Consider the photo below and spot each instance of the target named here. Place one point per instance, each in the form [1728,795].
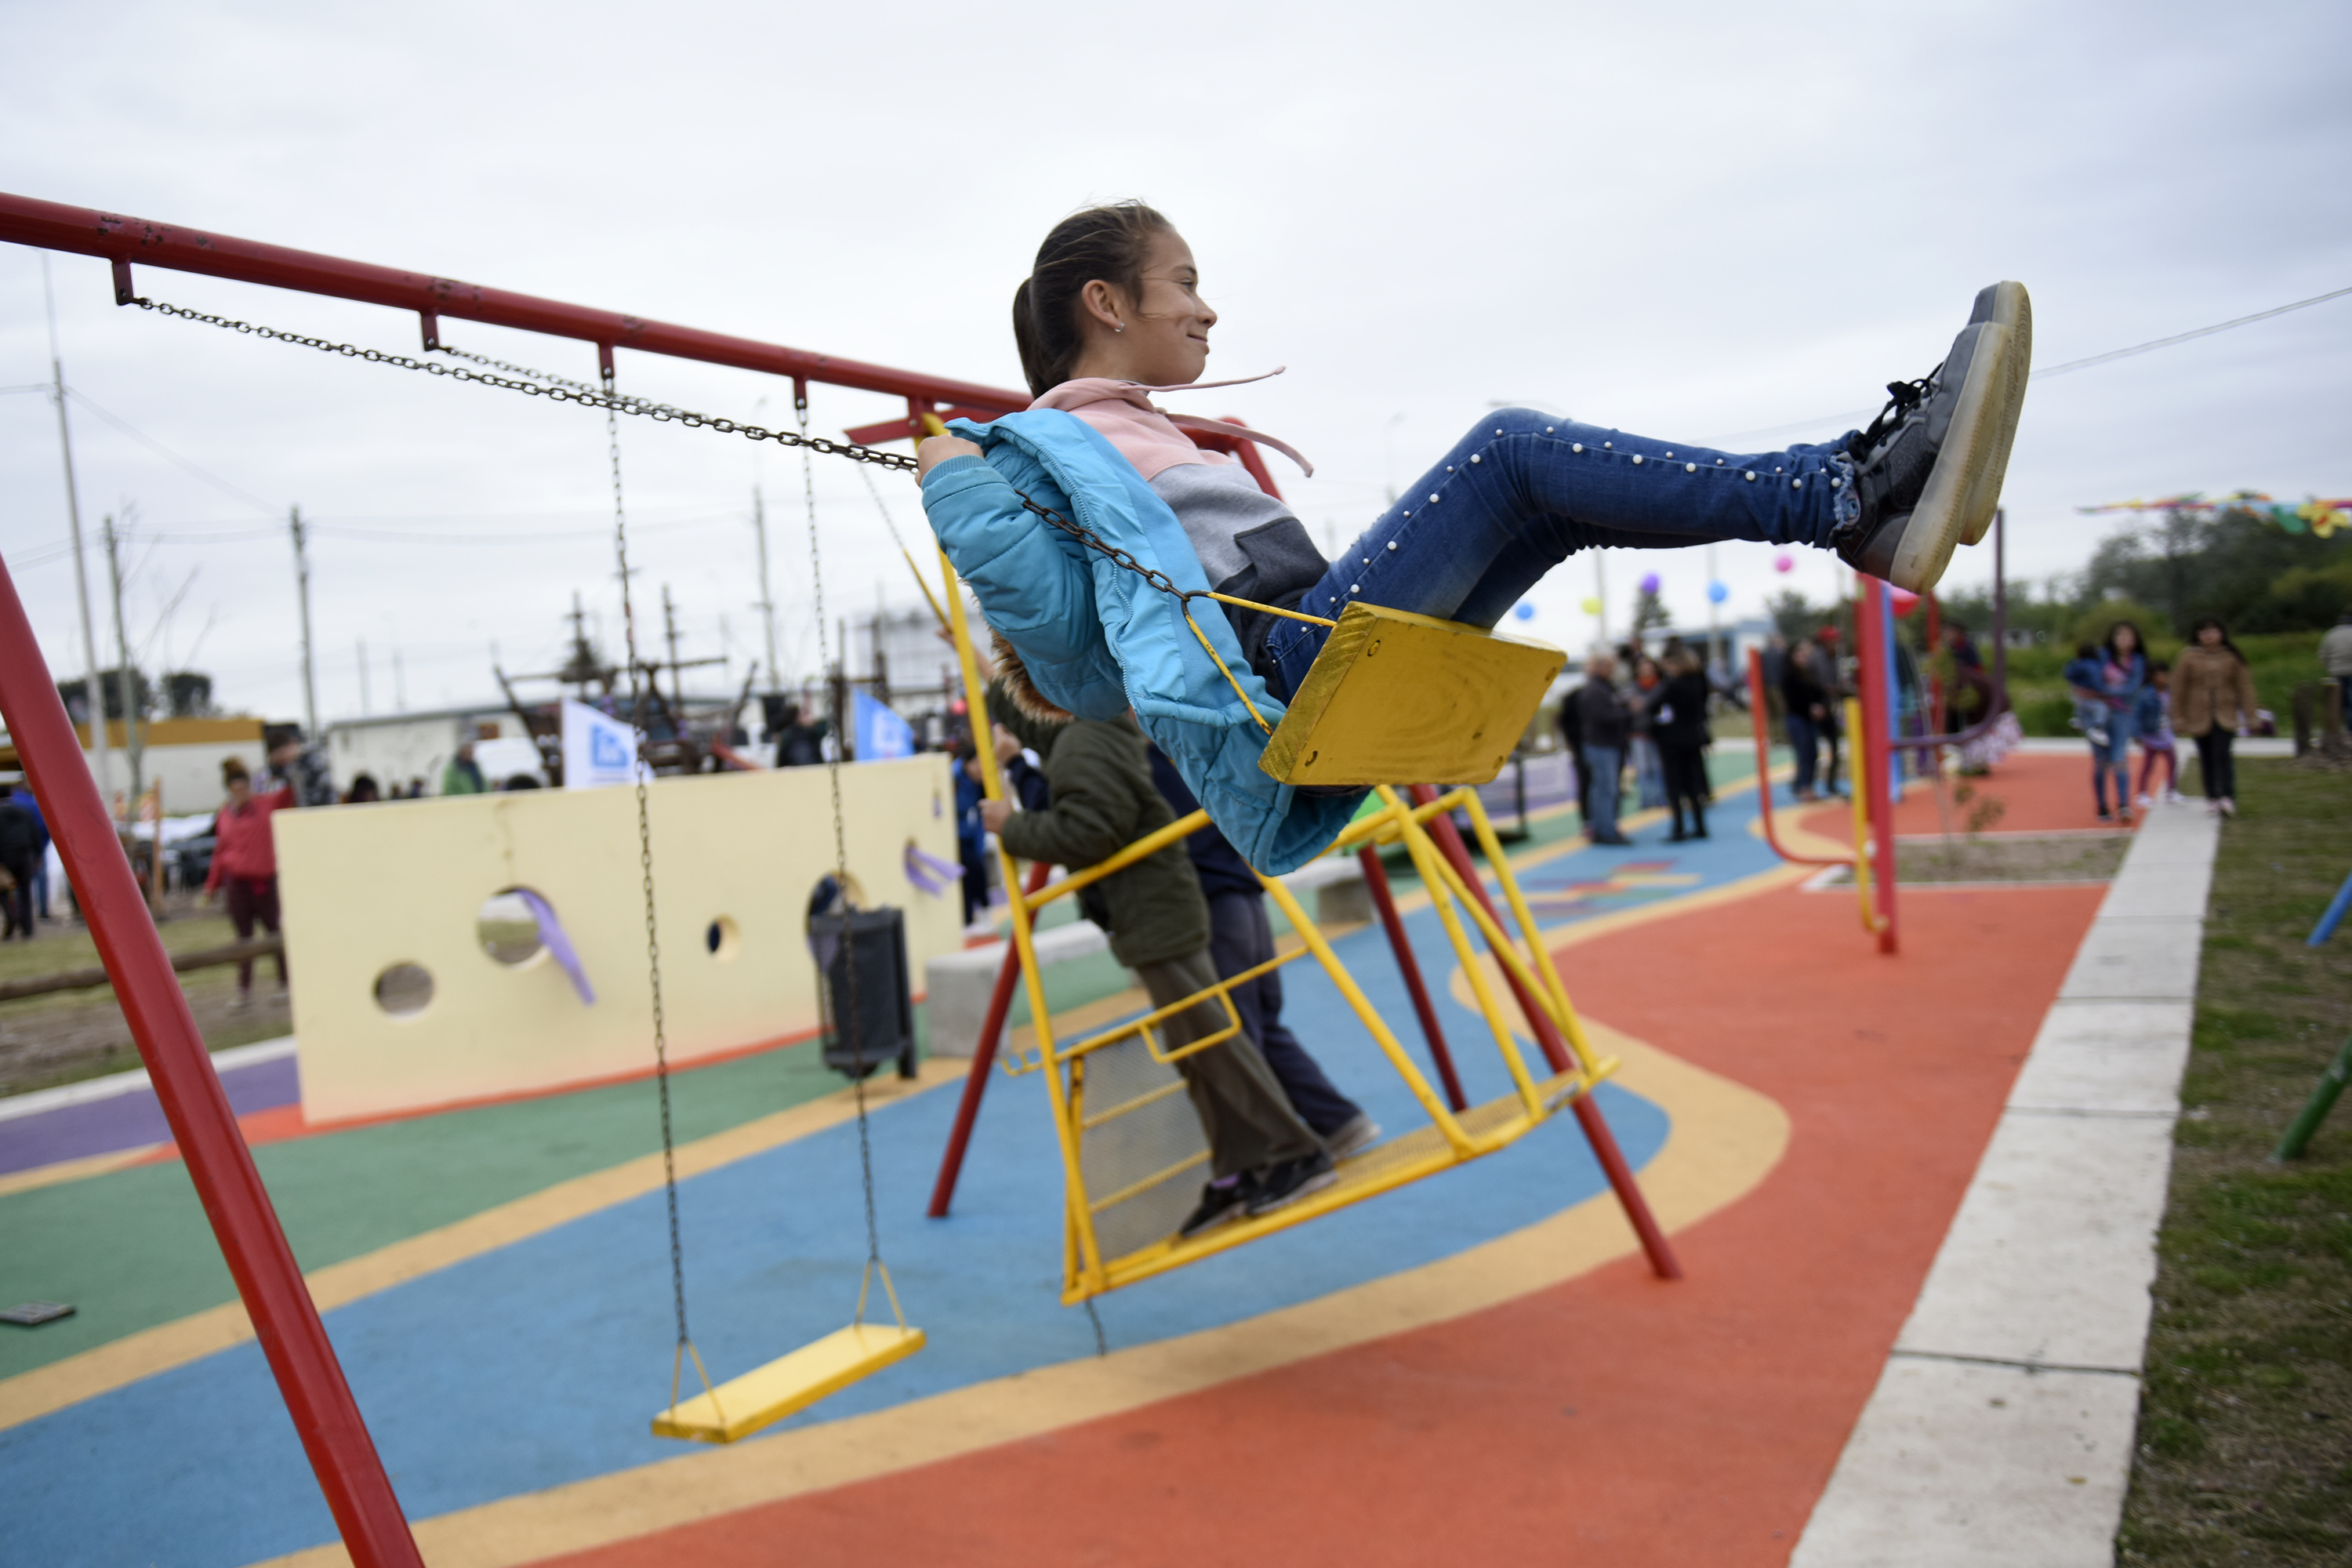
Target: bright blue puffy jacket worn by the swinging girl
[1102,641]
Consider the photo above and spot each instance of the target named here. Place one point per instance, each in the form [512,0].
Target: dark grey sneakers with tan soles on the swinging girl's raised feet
[1937,455]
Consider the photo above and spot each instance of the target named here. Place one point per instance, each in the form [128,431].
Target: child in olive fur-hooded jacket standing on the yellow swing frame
[1262,1153]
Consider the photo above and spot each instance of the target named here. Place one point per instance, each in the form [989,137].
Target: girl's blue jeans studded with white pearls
[1523,492]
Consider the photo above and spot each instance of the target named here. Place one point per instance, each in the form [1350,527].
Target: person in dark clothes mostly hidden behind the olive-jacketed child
[1241,939]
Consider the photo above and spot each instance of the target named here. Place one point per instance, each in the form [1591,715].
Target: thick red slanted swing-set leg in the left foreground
[203,1127]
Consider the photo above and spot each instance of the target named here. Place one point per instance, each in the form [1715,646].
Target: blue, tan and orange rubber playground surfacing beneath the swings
[1478,1360]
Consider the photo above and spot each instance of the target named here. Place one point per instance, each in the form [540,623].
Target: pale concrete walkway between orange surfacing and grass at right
[2003,1426]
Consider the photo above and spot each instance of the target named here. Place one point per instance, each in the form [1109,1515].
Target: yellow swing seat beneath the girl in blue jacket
[1408,699]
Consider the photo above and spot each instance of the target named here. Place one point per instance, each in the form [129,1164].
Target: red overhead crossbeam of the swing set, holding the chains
[187,250]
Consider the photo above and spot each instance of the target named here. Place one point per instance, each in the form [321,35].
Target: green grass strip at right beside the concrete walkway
[2245,1447]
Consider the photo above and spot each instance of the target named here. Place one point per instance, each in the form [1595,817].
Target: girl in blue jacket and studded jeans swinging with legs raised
[1111,316]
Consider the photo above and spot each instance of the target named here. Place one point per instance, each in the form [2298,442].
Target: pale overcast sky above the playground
[1690,222]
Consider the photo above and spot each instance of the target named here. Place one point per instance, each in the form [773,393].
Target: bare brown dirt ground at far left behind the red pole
[79,1036]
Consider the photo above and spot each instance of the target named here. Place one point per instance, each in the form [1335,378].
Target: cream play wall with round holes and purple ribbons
[403,883]
